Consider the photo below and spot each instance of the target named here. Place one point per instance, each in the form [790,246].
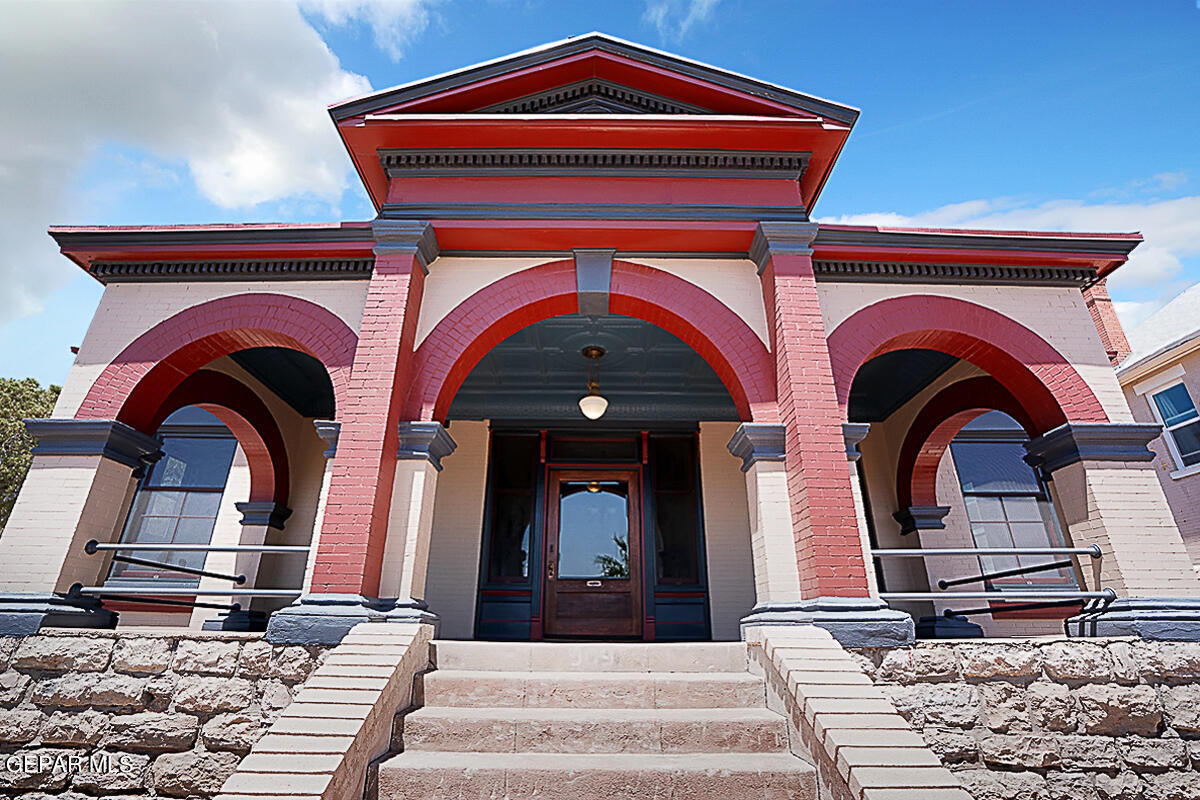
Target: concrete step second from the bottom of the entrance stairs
[596,731]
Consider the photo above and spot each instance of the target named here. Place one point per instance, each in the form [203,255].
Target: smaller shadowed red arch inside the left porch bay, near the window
[250,422]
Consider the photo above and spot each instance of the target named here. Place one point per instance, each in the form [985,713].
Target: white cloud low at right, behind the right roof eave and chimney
[1172,230]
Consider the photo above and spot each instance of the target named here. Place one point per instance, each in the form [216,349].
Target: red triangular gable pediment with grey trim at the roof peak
[593,75]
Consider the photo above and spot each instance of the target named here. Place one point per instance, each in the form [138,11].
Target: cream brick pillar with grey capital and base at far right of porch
[1107,495]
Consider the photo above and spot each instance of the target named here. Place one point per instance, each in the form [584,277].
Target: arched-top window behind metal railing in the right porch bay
[1007,504]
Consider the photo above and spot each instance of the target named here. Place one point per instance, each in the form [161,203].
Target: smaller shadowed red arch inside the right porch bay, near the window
[935,428]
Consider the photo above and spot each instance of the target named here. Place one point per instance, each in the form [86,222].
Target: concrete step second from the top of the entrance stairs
[587,690]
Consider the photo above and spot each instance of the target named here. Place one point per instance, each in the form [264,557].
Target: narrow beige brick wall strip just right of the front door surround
[731,585]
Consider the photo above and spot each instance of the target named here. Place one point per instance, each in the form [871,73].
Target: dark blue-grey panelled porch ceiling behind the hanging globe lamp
[647,375]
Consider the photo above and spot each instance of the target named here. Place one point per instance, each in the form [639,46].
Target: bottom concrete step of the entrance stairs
[431,775]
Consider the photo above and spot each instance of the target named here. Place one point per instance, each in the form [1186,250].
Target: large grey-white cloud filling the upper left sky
[235,93]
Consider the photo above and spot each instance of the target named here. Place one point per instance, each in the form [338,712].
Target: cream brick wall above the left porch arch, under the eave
[127,311]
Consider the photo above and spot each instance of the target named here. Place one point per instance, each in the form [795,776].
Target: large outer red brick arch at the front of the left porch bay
[134,387]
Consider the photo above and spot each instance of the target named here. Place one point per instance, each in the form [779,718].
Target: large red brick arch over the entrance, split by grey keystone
[494,314]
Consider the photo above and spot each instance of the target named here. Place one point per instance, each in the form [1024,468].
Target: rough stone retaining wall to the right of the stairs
[1054,719]
